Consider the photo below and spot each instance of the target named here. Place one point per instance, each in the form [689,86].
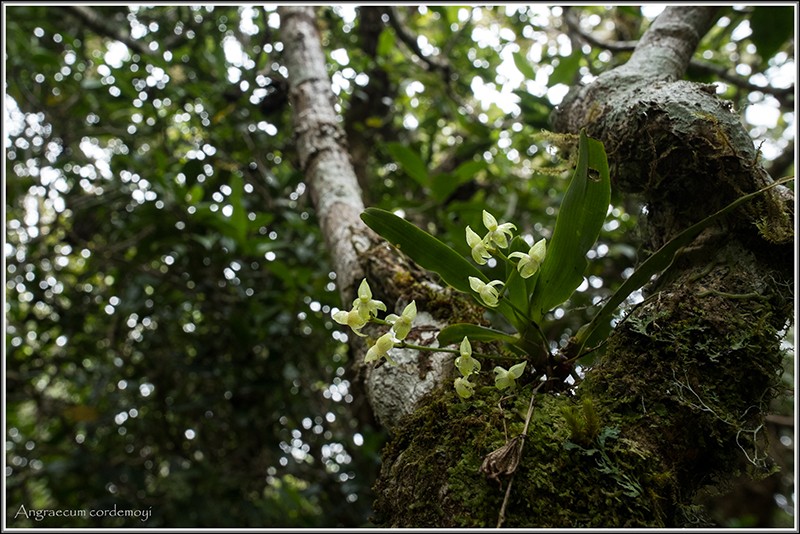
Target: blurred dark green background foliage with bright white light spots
[168,339]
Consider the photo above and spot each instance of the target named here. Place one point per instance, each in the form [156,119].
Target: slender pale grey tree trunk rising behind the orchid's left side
[355,251]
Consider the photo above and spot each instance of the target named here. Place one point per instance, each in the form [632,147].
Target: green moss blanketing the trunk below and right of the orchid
[685,380]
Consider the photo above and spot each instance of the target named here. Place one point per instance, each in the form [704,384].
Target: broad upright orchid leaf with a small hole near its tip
[580,219]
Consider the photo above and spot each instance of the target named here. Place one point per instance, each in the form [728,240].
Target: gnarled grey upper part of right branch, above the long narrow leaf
[662,133]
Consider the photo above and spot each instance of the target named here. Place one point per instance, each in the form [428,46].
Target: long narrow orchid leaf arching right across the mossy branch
[658,262]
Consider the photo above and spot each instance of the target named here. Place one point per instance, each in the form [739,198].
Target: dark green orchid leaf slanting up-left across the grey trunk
[427,251]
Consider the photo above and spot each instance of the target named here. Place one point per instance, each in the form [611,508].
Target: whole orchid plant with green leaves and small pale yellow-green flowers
[539,276]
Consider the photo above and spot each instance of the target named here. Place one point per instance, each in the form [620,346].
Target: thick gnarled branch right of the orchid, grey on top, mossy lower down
[684,150]
